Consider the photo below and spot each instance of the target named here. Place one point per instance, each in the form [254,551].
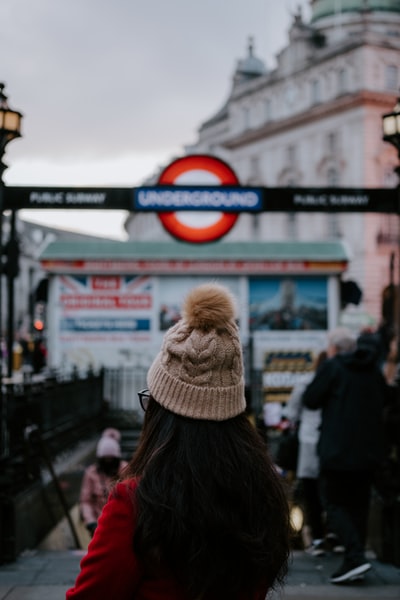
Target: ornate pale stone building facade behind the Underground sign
[315,121]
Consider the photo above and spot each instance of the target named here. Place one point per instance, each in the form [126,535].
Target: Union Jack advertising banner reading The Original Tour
[102,320]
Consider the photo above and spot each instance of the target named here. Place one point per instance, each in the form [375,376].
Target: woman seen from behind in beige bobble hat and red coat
[201,512]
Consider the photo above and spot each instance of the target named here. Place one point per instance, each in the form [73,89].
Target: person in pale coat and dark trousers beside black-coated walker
[308,423]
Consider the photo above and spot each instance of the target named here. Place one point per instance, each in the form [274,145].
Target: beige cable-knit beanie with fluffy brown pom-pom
[199,371]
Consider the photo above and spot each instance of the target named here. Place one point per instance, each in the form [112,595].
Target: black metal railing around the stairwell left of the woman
[43,419]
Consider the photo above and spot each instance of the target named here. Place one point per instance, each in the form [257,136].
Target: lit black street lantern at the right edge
[391,134]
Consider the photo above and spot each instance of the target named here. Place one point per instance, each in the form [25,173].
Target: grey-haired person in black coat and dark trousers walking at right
[351,391]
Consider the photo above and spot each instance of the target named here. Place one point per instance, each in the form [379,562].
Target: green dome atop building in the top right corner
[327,8]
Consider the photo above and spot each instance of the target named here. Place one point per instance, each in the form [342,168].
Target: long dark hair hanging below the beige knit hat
[211,508]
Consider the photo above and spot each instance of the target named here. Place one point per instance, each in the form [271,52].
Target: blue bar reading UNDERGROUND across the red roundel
[179,197]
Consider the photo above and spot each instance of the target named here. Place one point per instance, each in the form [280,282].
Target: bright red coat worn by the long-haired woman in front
[110,570]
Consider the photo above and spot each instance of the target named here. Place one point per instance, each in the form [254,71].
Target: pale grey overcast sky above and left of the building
[112,89]
